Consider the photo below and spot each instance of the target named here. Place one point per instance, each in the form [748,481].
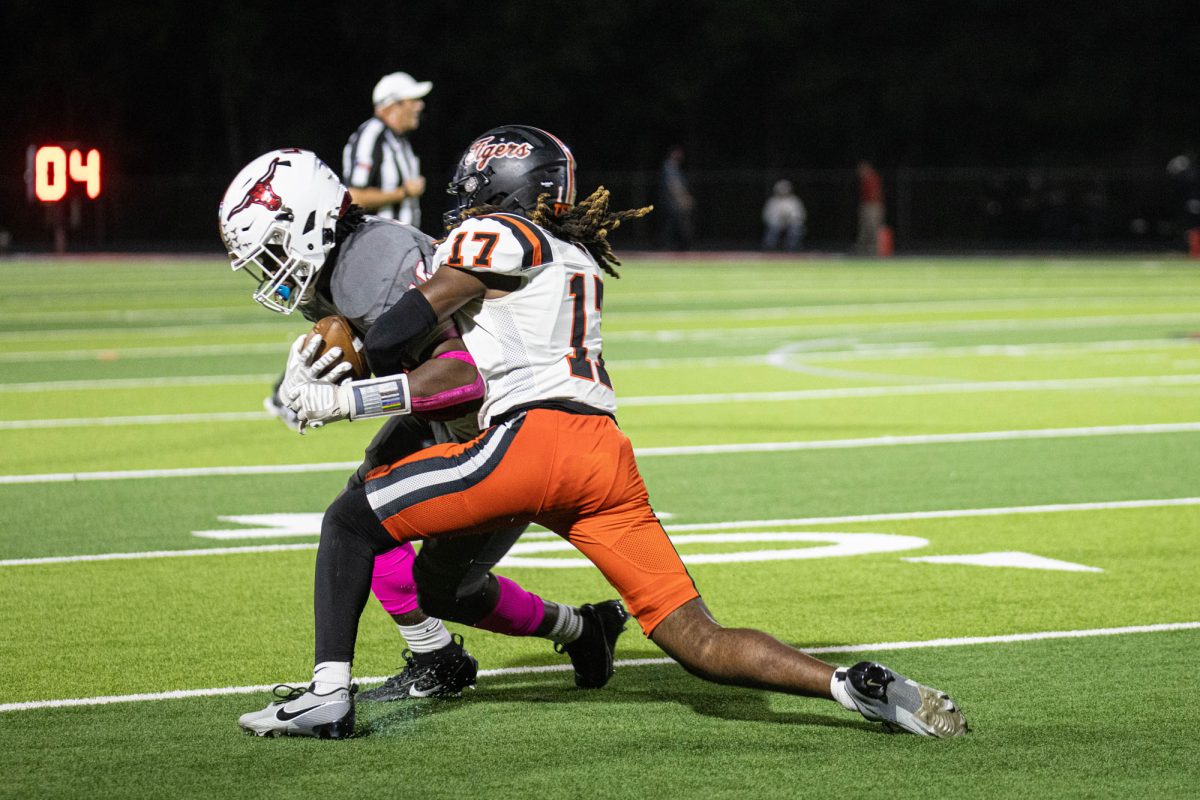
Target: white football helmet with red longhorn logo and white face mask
[278,221]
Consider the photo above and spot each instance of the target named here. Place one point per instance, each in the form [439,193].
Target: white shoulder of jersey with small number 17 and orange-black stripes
[496,243]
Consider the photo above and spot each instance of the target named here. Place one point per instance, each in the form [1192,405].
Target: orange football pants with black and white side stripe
[574,474]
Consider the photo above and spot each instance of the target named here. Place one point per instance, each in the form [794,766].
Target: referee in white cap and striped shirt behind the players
[379,165]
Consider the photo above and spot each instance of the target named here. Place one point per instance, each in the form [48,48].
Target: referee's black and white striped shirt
[377,158]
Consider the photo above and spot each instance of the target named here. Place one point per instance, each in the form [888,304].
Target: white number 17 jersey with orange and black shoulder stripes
[542,341]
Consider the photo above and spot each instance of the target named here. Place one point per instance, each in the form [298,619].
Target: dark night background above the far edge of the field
[947,99]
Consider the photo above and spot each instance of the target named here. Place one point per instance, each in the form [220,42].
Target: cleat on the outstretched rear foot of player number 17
[901,703]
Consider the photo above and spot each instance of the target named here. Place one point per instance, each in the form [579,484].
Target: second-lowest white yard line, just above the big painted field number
[949,514]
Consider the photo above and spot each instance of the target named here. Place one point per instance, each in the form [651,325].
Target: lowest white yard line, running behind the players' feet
[970,641]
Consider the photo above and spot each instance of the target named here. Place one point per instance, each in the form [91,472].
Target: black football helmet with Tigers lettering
[511,167]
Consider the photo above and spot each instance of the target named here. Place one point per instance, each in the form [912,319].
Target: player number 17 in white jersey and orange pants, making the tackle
[521,275]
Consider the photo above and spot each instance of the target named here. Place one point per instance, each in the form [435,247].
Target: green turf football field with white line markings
[982,473]
